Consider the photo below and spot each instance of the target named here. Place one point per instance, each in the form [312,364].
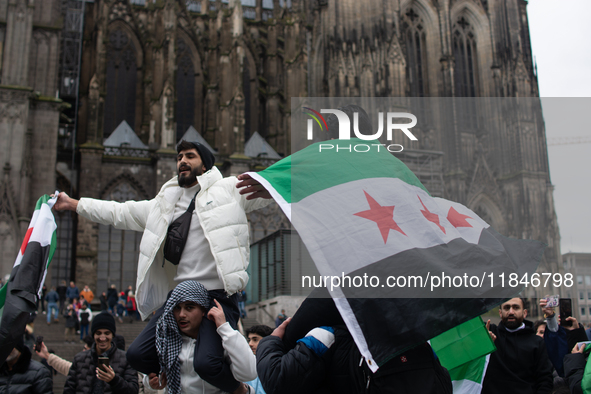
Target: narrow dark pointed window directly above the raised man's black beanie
[185,89]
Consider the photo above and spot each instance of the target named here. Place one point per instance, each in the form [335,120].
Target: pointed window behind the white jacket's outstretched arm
[118,250]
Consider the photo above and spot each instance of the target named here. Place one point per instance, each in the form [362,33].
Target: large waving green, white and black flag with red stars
[401,266]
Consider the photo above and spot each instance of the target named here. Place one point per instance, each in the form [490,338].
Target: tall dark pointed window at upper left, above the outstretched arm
[121,82]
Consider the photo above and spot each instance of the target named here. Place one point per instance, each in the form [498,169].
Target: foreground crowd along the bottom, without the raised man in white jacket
[548,356]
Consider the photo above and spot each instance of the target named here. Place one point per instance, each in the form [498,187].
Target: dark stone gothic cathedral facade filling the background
[94,95]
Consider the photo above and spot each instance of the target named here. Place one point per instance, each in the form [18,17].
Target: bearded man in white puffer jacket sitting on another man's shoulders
[216,252]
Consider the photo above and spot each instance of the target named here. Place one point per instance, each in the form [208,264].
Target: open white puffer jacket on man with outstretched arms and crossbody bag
[222,214]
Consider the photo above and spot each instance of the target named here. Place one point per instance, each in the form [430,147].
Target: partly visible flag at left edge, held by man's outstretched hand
[19,295]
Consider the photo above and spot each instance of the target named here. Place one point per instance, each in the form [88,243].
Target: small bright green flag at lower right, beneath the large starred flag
[465,351]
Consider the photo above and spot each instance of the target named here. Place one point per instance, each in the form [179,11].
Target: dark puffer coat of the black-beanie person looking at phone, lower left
[82,377]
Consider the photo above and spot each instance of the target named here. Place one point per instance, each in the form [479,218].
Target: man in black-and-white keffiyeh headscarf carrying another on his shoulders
[177,331]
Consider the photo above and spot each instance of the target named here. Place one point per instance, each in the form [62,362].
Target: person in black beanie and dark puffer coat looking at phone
[103,368]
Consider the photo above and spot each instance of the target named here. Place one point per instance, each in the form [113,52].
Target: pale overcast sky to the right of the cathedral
[560,34]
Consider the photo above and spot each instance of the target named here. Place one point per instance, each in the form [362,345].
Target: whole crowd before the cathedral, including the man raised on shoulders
[191,277]
